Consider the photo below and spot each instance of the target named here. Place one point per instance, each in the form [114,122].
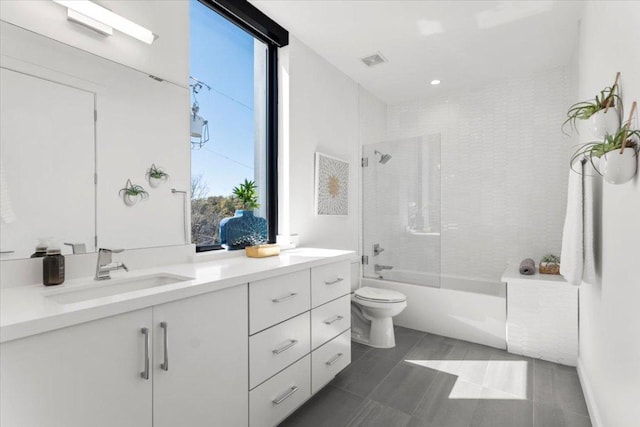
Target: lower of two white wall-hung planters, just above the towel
[616,157]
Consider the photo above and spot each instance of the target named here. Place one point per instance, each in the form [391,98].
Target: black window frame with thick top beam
[260,26]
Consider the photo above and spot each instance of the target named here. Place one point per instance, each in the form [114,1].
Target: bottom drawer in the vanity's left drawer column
[281,395]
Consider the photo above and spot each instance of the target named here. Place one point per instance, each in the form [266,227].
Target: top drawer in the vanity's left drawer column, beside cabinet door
[273,300]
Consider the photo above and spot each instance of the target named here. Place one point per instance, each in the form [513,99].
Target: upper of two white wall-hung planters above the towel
[600,113]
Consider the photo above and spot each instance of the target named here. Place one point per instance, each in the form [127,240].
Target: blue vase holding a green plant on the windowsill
[244,229]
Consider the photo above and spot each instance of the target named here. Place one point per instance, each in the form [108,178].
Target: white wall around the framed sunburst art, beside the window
[323,116]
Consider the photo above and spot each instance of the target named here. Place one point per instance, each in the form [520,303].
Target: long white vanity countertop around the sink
[26,310]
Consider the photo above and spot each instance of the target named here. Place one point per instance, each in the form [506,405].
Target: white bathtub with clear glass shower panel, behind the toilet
[401,245]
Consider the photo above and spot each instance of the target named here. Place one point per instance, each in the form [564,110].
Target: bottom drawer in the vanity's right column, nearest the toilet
[328,360]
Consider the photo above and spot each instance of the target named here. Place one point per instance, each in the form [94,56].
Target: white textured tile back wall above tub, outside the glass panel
[503,168]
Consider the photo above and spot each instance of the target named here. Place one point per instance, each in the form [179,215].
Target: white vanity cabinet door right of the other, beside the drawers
[206,380]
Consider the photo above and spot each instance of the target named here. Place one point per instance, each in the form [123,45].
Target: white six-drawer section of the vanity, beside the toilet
[299,338]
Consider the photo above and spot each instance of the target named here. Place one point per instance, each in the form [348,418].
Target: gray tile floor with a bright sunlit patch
[433,381]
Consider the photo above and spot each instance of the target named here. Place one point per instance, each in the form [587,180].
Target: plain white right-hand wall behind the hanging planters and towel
[609,357]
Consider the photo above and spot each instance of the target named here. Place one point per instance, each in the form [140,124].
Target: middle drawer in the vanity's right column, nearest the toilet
[330,320]
